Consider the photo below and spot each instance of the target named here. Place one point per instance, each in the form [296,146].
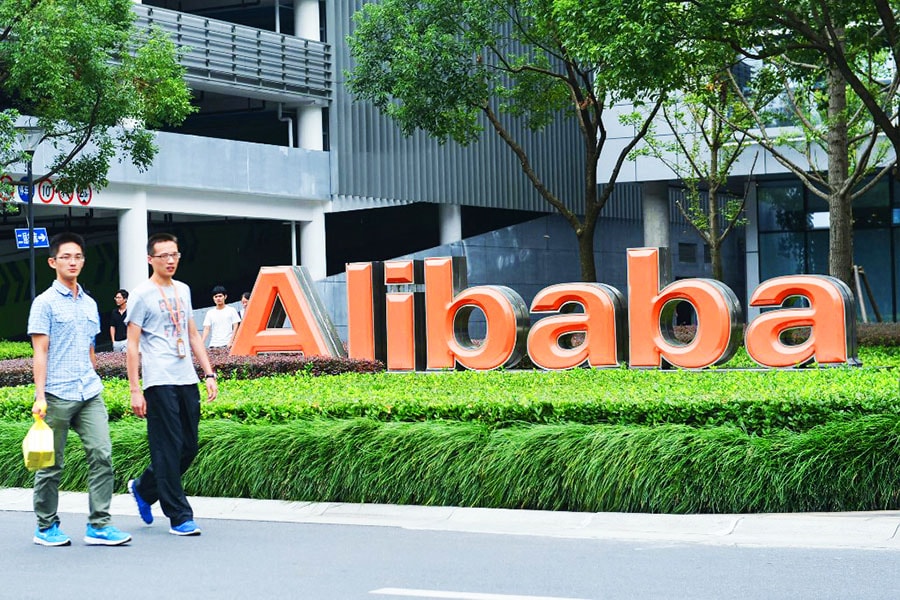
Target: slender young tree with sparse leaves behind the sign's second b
[701,147]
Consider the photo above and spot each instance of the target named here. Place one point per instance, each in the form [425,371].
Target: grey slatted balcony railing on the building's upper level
[239,60]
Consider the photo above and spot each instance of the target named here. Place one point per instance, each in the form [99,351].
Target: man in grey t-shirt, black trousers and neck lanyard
[162,332]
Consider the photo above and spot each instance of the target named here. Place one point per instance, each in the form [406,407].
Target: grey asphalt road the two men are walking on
[259,559]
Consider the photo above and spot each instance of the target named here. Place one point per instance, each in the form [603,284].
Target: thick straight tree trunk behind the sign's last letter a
[840,214]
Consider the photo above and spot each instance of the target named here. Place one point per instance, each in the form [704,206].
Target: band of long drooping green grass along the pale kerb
[851,465]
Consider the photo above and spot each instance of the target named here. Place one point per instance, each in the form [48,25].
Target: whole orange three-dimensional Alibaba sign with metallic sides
[414,315]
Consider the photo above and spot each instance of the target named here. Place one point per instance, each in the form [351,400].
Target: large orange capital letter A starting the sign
[311,331]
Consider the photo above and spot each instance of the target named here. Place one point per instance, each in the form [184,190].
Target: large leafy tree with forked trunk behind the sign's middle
[450,67]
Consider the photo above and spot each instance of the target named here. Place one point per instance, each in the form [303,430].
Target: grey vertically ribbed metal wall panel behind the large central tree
[371,158]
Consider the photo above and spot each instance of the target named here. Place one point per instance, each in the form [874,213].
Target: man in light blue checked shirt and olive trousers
[63,324]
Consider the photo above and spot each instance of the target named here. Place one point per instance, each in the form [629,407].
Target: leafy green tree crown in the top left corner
[94,83]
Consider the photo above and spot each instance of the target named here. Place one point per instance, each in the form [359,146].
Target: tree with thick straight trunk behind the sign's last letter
[834,138]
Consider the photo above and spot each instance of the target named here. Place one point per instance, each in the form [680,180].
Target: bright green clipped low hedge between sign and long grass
[754,401]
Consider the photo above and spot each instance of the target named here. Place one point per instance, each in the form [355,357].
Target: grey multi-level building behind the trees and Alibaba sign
[280,166]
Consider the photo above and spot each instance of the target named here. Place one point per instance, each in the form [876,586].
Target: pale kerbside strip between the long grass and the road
[849,530]
